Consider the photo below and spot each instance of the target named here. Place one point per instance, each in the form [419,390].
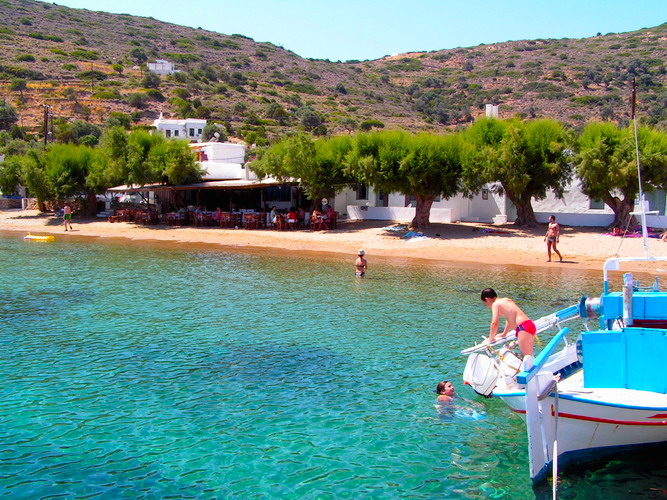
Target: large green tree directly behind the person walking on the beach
[525,159]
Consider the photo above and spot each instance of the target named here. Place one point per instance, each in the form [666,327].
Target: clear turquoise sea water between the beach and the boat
[147,372]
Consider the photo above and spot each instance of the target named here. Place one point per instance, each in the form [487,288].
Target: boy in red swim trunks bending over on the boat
[515,319]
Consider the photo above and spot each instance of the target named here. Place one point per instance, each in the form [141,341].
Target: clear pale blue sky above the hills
[370,29]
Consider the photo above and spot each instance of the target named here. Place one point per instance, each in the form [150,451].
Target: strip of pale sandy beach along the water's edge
[472,243]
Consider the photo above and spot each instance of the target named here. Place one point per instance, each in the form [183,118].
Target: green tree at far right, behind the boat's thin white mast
[607,166]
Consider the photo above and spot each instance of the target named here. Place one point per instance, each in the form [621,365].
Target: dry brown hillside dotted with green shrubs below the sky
[87,65]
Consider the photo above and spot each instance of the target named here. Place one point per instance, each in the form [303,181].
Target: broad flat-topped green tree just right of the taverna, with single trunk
[424,166]
